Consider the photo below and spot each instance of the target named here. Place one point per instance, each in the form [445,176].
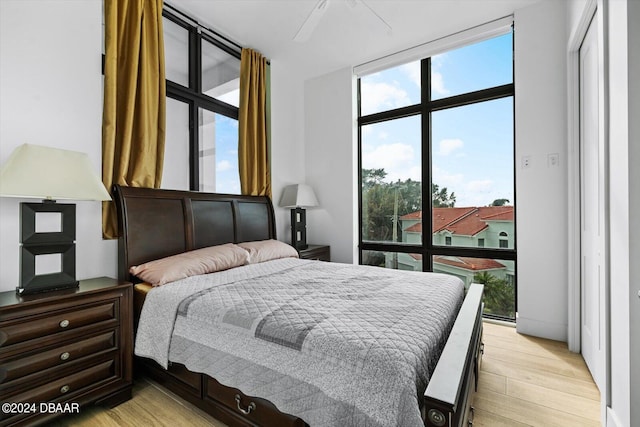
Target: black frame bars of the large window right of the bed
[427,249]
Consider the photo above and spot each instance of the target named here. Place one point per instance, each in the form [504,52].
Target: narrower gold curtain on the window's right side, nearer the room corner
[253,145]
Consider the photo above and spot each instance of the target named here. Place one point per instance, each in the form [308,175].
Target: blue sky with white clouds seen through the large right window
[472,152]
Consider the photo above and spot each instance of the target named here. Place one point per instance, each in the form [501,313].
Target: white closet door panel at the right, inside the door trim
[592,209]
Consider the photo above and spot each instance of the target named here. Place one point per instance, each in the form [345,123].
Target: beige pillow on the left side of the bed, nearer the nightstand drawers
[192,263]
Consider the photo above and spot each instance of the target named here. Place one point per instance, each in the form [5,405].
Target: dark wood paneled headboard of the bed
[155,224]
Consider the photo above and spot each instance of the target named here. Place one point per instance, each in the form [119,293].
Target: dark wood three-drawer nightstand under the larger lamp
[65,349]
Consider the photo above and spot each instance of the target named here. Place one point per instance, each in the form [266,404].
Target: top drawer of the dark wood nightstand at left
[57,322]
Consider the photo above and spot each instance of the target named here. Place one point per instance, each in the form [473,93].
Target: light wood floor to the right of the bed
[527,381]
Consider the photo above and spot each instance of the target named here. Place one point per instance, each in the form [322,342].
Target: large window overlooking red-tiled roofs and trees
[436,153]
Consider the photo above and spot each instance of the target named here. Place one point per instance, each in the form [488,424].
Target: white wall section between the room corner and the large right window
[330,157]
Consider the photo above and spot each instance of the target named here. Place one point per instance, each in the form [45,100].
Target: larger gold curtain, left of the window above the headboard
[133,122]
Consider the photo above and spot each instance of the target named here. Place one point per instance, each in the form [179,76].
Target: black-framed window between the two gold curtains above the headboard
[203,76]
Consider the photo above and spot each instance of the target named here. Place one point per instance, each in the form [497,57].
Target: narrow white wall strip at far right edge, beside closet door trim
[624,202]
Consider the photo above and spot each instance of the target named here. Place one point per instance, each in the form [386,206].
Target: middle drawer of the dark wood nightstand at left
[61,355]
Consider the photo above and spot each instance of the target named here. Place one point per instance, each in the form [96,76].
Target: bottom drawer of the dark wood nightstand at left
[67,387]
